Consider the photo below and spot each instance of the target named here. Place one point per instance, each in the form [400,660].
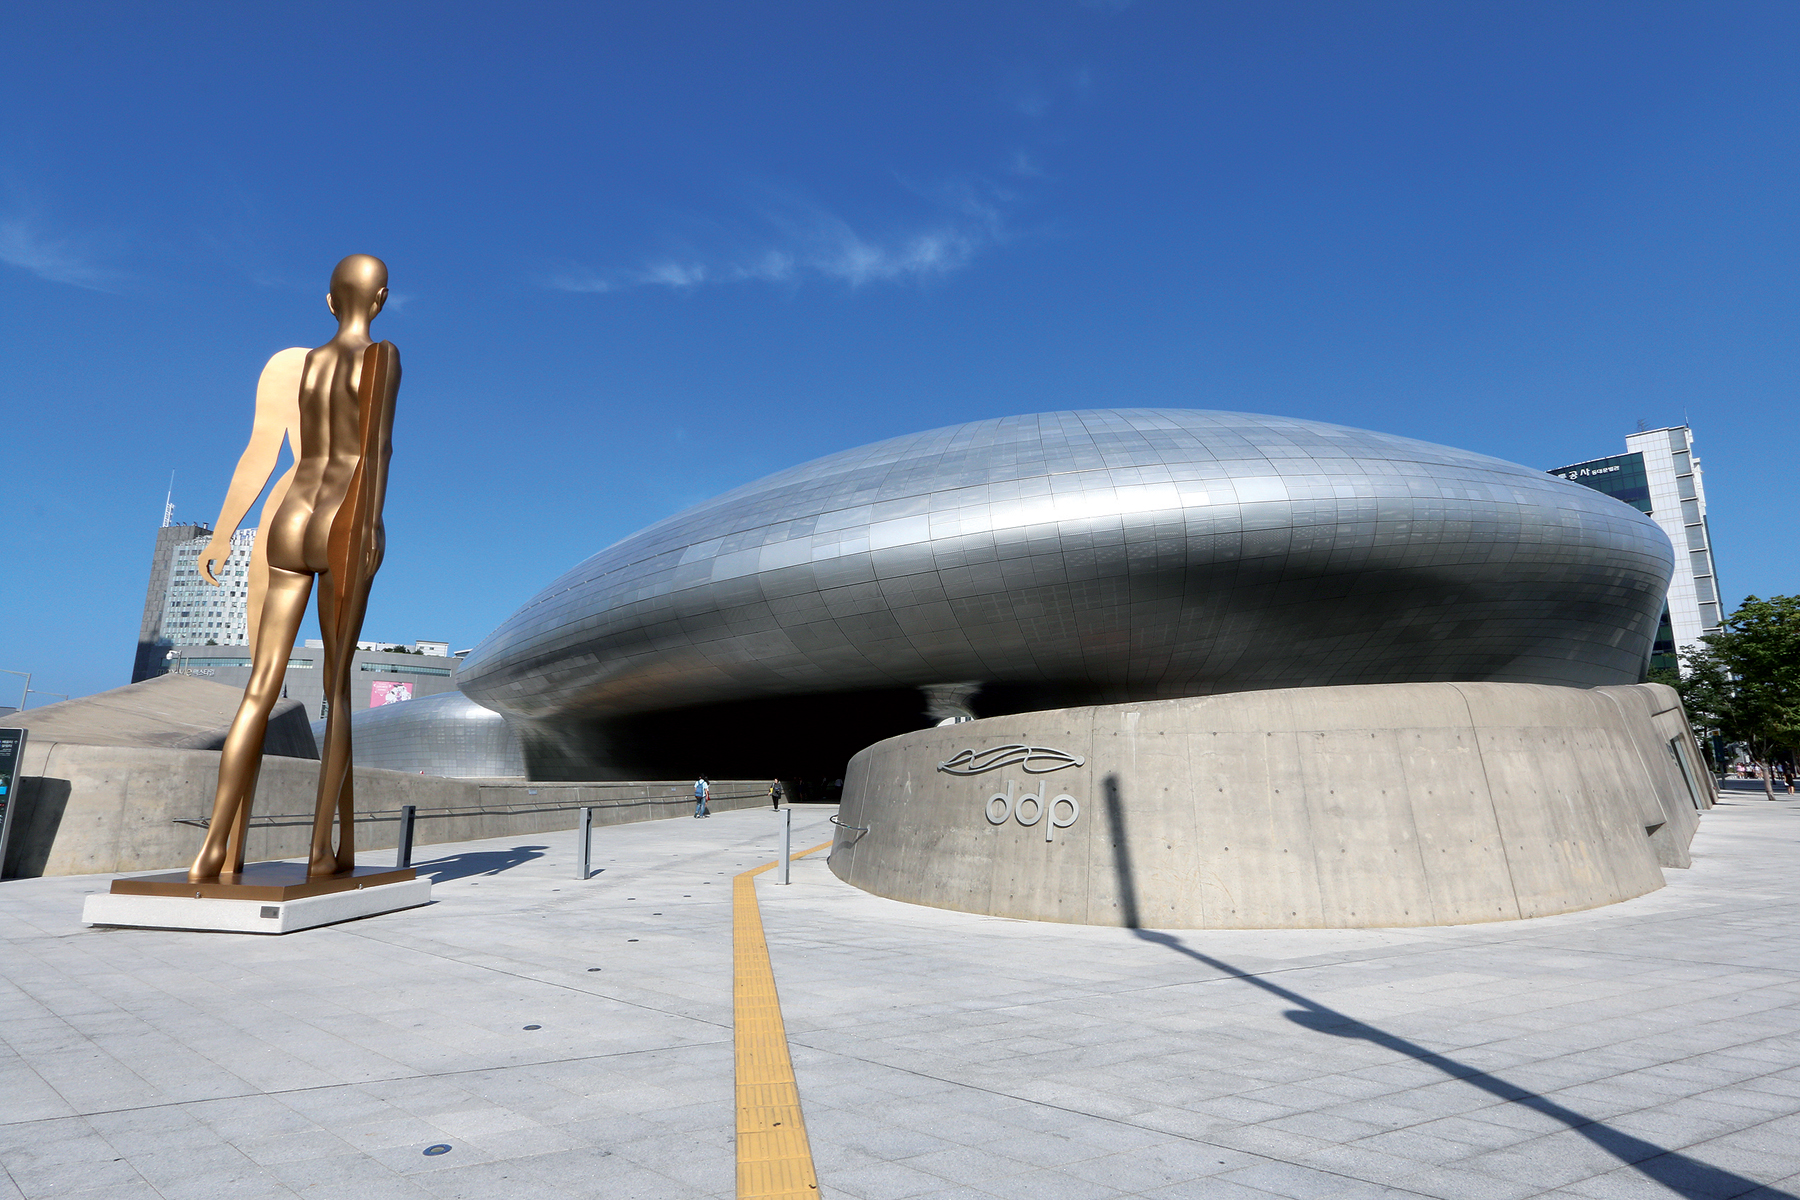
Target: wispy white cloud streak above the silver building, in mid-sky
[802,242]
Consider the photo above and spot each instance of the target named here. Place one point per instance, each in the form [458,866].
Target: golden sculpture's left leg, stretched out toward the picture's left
[242,757]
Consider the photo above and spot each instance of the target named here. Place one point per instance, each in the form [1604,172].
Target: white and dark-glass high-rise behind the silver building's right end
[1660,476]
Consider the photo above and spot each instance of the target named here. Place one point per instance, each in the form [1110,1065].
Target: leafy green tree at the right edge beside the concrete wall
[1745,681]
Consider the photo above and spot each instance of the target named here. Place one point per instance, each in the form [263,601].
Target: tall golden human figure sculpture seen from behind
[323,521]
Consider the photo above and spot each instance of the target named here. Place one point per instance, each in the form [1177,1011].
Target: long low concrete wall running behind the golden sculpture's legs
[87,810]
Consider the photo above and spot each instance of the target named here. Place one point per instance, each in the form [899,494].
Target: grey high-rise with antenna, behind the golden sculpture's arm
[181,609]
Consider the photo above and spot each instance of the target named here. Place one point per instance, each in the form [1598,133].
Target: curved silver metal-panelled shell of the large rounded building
[1135,553]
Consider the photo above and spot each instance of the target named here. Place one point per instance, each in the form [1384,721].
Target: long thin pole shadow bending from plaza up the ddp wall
[1677,1172]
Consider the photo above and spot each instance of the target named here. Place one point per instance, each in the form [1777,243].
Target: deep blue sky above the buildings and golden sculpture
[643,255]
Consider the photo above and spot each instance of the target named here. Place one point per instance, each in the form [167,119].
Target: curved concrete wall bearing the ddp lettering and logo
[1297,809]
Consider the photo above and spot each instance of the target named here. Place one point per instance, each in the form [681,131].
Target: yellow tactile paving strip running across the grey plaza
[775,1158]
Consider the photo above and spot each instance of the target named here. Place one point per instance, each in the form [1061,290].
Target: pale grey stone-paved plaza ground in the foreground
[575,1039]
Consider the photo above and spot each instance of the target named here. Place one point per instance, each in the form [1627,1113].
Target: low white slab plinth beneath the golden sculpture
[255,917]
